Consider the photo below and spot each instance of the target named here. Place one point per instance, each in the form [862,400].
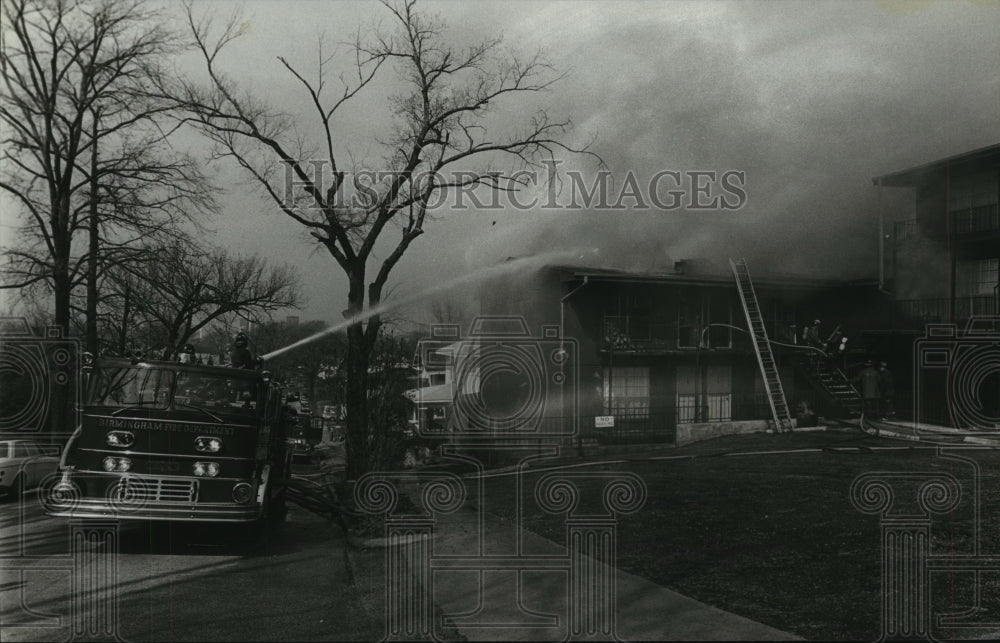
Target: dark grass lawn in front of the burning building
[774,536]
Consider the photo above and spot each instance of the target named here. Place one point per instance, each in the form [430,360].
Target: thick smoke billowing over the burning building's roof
[810,100]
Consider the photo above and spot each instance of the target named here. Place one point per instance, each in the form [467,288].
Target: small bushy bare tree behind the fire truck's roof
[180,289]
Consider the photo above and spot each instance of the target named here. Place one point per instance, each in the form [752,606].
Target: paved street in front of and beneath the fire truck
[291,586]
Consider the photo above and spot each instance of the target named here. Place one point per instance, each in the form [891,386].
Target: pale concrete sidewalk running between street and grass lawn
[501,603]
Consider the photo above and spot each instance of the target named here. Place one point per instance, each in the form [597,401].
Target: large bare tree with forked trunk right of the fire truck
[440,120]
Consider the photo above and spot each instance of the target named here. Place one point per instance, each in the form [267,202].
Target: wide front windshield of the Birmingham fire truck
[163,388]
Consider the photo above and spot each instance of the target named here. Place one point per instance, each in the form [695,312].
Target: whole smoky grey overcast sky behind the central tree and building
[809,99]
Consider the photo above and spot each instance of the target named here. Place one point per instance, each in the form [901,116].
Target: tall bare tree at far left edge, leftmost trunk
[61,62]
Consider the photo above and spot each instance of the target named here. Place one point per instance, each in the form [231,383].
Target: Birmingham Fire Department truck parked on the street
[173,441]
